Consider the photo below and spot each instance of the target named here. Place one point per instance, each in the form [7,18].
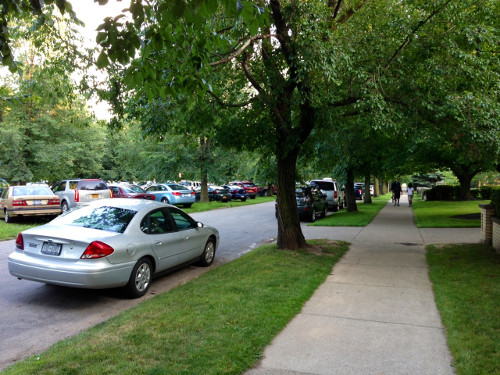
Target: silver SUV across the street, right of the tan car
[74,192]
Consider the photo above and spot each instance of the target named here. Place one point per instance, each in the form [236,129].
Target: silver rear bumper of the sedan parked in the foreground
[91,274]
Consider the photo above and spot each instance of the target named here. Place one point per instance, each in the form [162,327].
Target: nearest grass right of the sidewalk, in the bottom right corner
[466,282]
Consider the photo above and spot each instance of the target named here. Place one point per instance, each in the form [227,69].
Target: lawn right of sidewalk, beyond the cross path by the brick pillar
[446,214]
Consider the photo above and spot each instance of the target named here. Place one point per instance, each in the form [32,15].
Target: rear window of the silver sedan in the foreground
[112,219]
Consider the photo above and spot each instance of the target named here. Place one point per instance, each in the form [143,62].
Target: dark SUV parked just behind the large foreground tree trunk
[311,203]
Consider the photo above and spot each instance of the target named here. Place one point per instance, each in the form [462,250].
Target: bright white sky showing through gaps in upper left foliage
[92,14]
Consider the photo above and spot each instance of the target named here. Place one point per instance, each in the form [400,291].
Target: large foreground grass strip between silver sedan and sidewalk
[219,323]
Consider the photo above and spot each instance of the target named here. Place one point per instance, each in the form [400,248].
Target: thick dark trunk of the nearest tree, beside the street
[289,232]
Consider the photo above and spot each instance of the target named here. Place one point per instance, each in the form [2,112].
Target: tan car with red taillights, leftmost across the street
[31,200]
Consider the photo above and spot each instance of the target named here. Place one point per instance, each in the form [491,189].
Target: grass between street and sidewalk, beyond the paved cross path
[360,218]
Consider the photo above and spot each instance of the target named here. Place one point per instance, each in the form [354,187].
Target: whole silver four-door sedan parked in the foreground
[112,243]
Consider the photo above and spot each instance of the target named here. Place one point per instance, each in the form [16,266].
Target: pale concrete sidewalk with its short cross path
[375,313]
